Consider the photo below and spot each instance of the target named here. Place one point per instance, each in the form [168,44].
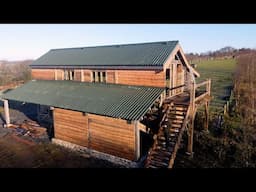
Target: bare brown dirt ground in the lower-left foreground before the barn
[17,153]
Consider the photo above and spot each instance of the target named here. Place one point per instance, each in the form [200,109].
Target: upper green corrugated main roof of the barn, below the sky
[142,54]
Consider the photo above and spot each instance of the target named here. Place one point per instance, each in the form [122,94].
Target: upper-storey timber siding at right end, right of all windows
[141,78]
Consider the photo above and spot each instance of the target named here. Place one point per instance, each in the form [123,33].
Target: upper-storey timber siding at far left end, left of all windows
[43,74]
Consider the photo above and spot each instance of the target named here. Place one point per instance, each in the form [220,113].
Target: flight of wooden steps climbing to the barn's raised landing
[169,136]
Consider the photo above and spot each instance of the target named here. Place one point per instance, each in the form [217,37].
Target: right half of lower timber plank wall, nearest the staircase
[112,136]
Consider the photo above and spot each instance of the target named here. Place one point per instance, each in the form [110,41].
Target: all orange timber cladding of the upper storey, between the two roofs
[126,77]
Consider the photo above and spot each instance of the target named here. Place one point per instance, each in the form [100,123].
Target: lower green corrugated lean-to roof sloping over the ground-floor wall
[119,101]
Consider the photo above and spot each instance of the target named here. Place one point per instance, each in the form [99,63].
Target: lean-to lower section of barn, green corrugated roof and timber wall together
[98,116]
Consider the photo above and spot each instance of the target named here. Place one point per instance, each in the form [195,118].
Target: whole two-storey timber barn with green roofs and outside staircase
[116,99]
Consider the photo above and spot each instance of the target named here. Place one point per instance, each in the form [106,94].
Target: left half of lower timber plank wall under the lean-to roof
[71,126]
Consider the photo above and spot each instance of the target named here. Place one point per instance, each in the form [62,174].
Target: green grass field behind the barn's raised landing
[221,74]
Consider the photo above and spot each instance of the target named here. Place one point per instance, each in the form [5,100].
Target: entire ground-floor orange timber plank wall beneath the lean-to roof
[104,134]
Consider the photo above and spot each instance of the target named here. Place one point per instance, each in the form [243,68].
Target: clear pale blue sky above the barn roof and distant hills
[30,41]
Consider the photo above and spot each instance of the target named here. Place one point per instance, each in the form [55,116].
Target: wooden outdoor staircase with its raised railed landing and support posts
[179,113]
